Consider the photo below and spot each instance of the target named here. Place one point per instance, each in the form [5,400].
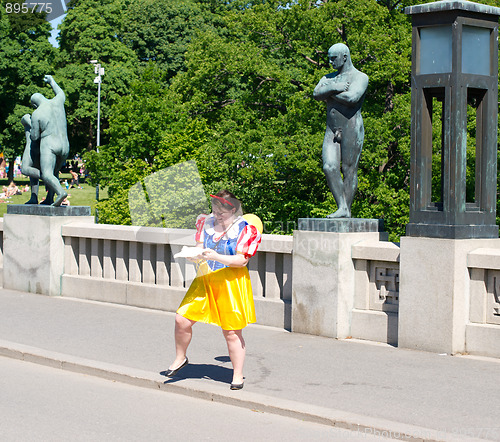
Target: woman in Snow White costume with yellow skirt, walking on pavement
[221,293]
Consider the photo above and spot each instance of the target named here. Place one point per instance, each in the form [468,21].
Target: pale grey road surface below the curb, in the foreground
[39,403]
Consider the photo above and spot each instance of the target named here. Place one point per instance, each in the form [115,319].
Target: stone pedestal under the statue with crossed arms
[323,273]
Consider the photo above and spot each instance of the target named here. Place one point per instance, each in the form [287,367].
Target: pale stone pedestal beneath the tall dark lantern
[434,292]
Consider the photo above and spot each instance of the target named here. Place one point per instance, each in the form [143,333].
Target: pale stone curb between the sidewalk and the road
[244,399]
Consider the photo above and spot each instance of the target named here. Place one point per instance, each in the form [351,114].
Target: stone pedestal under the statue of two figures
[34,246]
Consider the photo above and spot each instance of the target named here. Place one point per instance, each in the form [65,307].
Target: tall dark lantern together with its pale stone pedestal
[454,84]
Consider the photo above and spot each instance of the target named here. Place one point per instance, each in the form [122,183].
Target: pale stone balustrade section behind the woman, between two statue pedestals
[136,266]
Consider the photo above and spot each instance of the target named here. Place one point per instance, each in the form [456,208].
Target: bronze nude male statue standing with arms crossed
[344,93]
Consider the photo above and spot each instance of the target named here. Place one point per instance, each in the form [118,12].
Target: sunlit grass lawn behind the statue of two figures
[77,197]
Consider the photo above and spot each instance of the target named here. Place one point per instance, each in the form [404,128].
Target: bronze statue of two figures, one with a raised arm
[47,146]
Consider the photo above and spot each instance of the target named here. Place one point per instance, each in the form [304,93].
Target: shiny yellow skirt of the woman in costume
[223,297]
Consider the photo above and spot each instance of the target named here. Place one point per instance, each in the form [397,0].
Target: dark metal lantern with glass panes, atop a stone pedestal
[455,67]
